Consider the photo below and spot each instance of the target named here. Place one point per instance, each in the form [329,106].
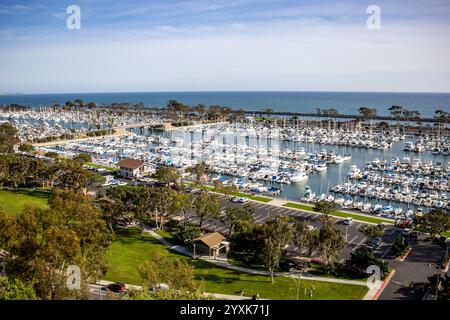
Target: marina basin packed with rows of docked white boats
[267,160]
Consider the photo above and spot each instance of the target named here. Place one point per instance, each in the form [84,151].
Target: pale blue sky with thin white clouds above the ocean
[224,45]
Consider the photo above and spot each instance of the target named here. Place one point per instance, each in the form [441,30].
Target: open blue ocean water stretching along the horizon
[344,102]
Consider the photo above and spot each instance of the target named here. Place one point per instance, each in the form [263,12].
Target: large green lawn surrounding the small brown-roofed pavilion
[130,249]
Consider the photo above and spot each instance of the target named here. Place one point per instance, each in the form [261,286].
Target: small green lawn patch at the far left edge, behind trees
[13,201]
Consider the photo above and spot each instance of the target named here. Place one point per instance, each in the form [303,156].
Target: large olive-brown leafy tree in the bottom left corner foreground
[43,243]
